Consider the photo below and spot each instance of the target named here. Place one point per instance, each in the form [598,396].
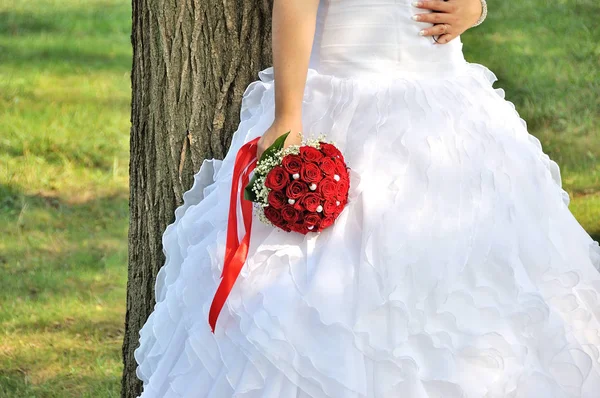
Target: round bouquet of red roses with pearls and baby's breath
[301,188]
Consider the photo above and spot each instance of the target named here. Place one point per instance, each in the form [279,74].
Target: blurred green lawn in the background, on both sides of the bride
[64,124]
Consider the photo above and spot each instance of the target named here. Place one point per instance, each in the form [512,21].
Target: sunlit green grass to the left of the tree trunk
[64,111]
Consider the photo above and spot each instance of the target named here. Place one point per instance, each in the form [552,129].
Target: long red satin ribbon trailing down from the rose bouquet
[235,251]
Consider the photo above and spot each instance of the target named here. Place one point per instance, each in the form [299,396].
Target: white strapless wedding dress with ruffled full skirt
[456,269]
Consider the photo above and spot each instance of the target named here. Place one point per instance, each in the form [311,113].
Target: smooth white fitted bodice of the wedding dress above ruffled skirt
[378,38]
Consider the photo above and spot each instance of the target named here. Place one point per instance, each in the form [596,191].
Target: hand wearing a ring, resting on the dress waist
[452,18]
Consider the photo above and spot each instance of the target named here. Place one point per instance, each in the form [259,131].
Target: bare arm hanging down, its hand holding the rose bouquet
[294,24]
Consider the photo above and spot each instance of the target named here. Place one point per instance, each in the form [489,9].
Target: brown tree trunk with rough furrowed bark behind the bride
[192,61]
